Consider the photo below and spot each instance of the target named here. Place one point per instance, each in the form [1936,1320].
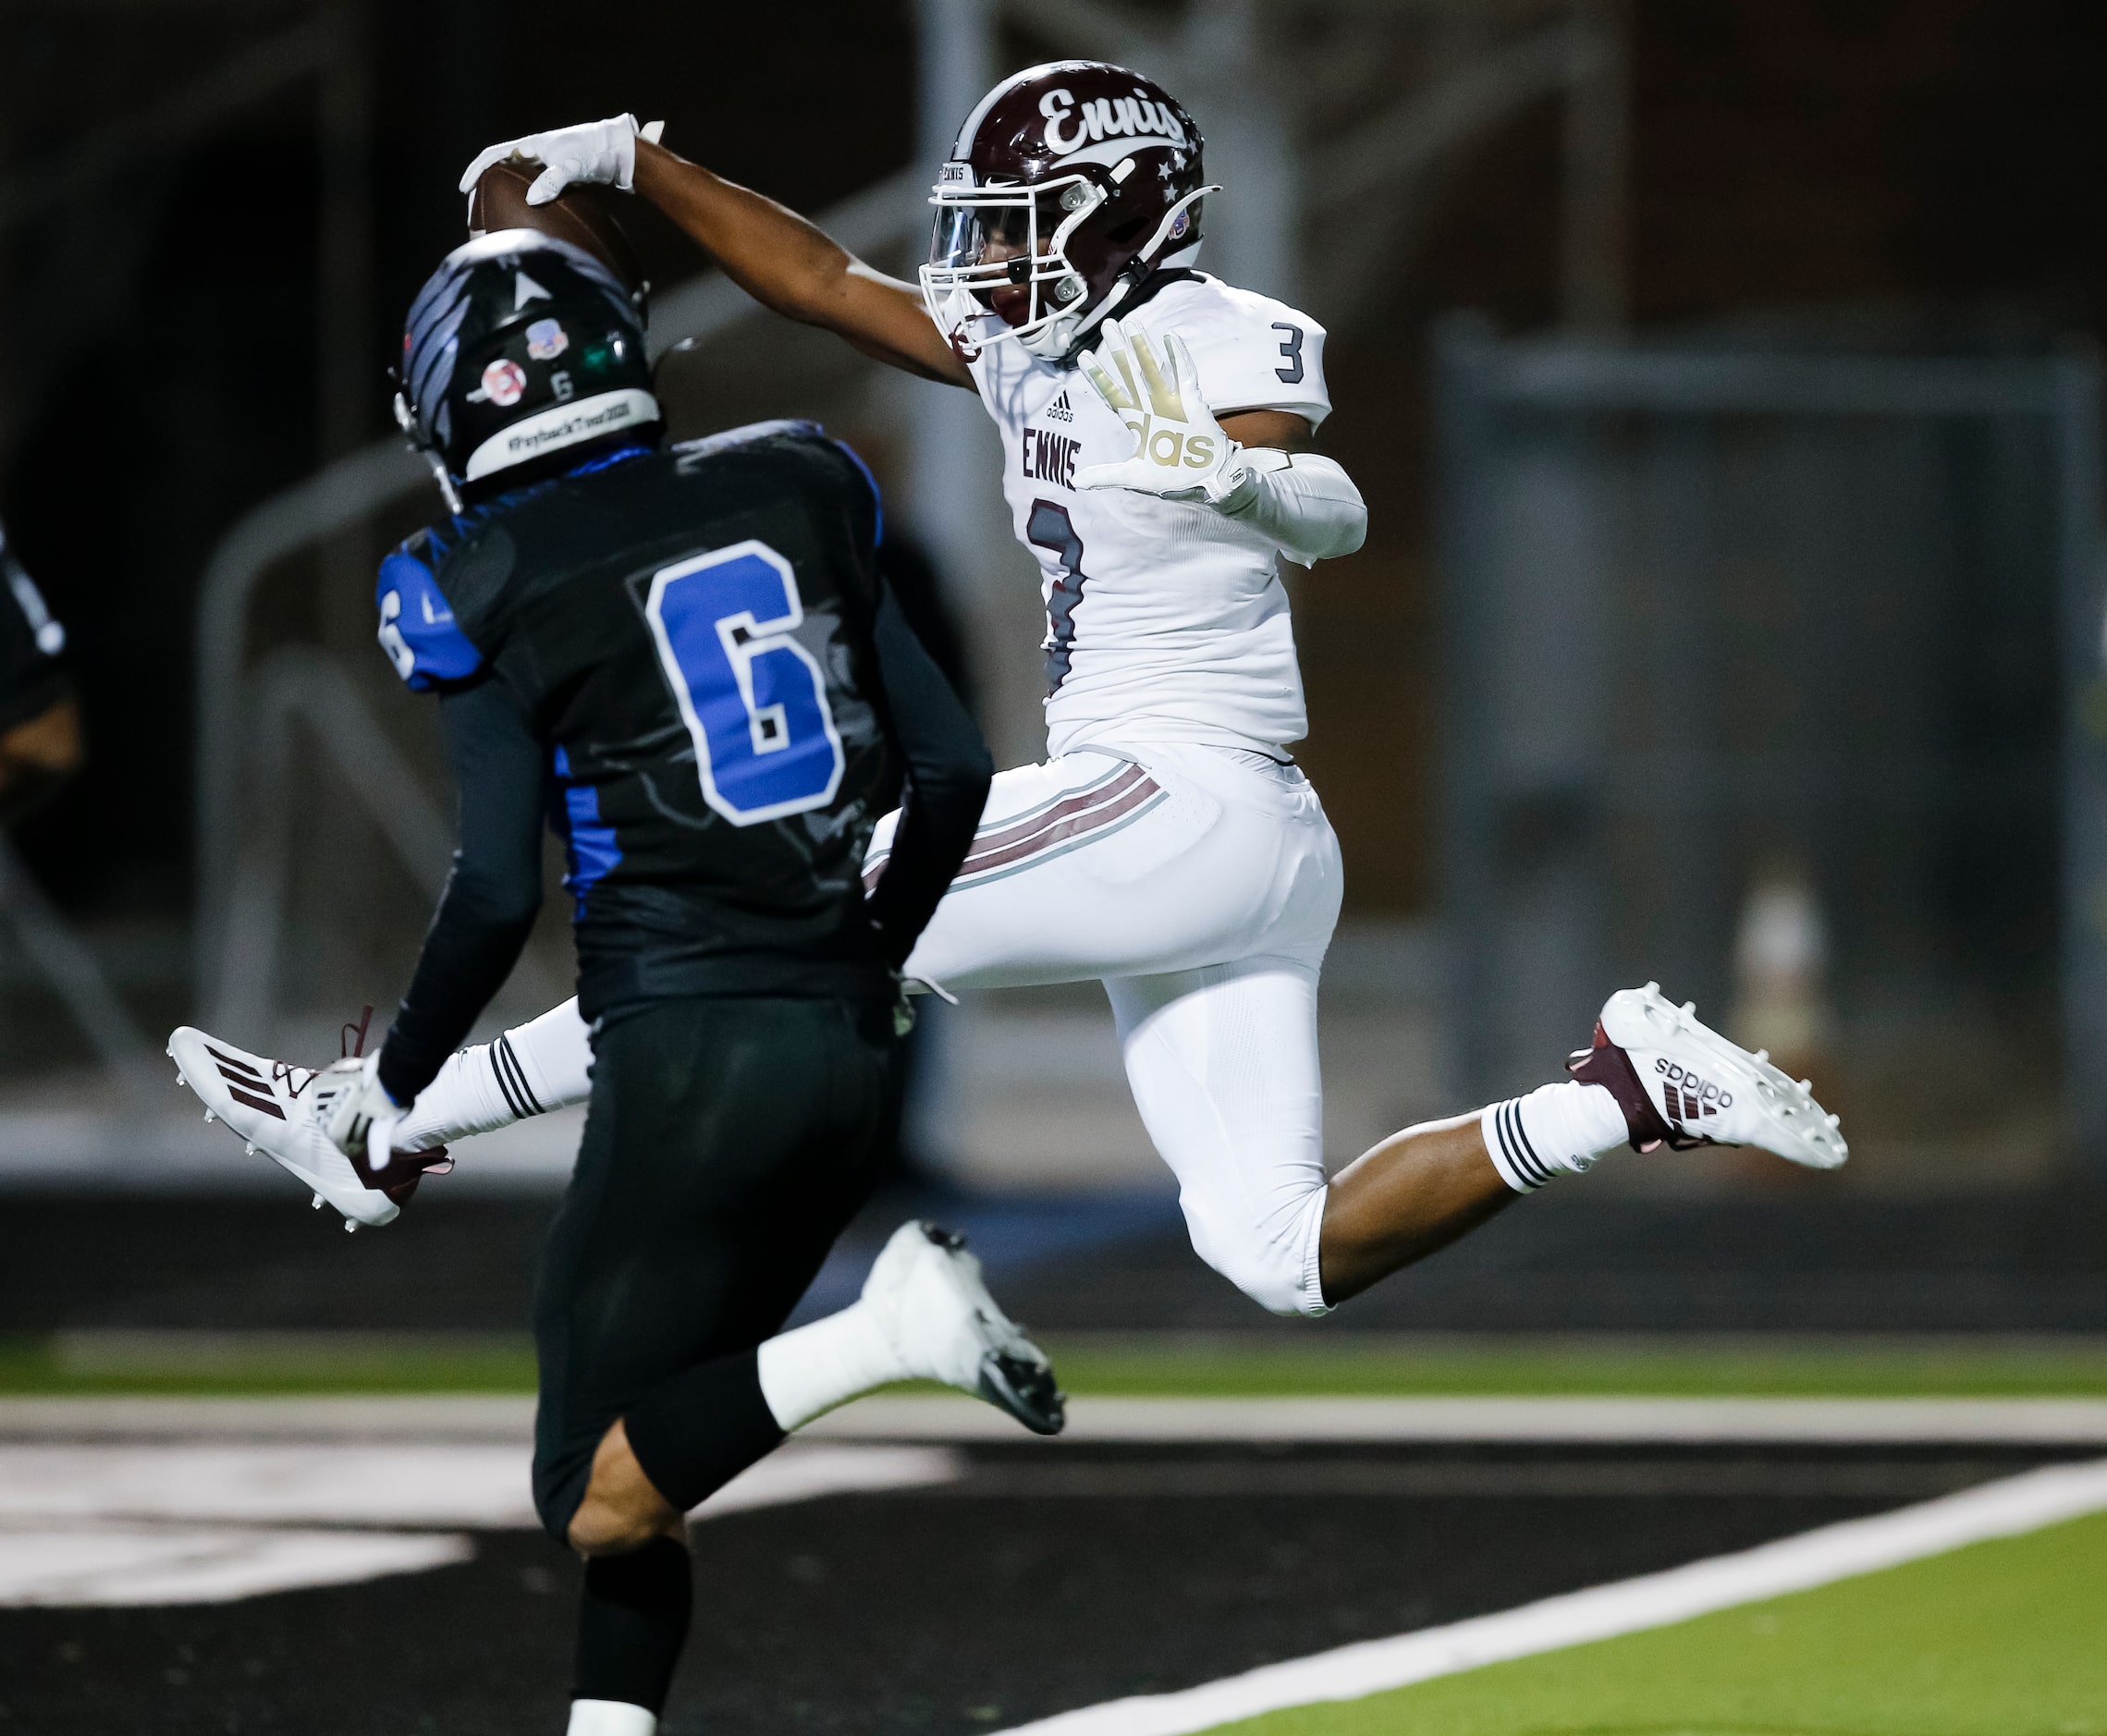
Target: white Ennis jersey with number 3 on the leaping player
[1166,620]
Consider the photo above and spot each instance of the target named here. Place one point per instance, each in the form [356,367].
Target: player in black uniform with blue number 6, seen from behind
[690,663]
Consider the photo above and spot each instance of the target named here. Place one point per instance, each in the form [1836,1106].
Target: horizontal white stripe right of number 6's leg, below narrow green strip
[1552,1419]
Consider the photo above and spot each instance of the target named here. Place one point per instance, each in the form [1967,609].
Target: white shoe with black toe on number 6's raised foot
[930,1303]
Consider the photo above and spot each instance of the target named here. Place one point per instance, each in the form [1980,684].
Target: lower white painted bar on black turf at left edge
[130,1566]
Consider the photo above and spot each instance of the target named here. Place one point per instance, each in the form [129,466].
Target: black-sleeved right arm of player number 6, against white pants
[949,772]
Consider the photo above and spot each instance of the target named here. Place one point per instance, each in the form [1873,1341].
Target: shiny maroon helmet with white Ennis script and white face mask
[1067,186]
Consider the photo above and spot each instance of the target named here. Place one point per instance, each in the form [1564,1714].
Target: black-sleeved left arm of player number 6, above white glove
[494,892]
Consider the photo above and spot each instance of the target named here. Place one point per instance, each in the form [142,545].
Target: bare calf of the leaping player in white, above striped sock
[1404,1200]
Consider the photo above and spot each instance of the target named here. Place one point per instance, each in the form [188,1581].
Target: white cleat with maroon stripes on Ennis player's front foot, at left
[281,1111]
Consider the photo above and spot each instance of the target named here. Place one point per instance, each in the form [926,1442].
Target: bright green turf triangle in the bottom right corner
[1996,1640]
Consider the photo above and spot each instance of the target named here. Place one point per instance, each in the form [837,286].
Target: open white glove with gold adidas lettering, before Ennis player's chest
[1179,448]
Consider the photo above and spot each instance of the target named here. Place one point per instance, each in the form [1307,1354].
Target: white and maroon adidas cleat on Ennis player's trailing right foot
[1682,1084]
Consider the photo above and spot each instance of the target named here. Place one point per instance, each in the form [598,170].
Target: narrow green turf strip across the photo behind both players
[1137,1364]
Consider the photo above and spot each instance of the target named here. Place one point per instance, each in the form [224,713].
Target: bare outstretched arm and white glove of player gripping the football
[764,248]
